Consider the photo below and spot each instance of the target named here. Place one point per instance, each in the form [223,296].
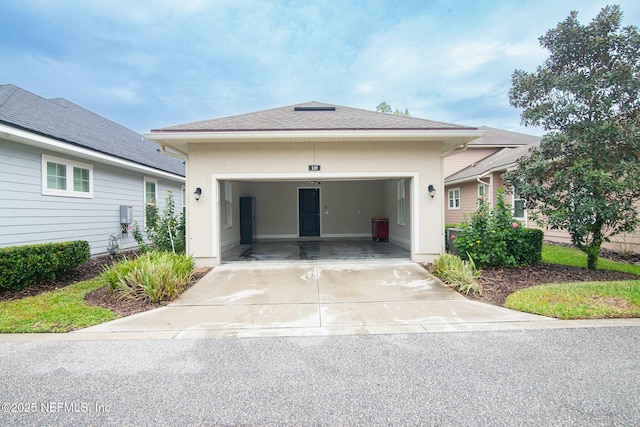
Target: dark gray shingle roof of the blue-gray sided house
[65,121]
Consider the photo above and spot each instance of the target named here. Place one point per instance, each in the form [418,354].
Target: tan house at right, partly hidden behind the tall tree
[484,178]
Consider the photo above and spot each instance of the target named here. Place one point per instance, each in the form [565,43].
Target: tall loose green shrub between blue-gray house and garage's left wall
[165,230]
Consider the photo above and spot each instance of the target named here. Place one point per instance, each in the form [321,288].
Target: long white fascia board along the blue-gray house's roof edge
[40,141]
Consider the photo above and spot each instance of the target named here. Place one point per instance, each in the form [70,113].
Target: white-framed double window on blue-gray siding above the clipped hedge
[61,177]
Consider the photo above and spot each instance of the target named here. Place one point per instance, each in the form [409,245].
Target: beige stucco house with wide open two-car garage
[315,170]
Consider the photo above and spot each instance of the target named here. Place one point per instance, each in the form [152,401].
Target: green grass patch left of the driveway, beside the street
[62,310]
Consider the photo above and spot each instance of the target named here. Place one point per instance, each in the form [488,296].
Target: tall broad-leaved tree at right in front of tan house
[585,175]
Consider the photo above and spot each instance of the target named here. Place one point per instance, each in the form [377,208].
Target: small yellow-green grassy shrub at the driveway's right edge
[457,273]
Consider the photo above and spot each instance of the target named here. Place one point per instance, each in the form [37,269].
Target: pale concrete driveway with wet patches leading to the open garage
[314,298]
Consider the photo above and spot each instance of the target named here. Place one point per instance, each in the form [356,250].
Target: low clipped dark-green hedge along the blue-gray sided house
[23,266]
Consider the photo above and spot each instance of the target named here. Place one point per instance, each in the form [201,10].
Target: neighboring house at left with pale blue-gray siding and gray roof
[65,171]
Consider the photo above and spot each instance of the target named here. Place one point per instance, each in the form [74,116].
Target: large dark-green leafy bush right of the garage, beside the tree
[492,237]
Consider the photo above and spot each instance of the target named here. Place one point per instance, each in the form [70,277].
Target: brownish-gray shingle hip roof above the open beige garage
[312,116]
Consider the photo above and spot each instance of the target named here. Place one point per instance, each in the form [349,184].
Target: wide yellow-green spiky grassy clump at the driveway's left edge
[154,276]
